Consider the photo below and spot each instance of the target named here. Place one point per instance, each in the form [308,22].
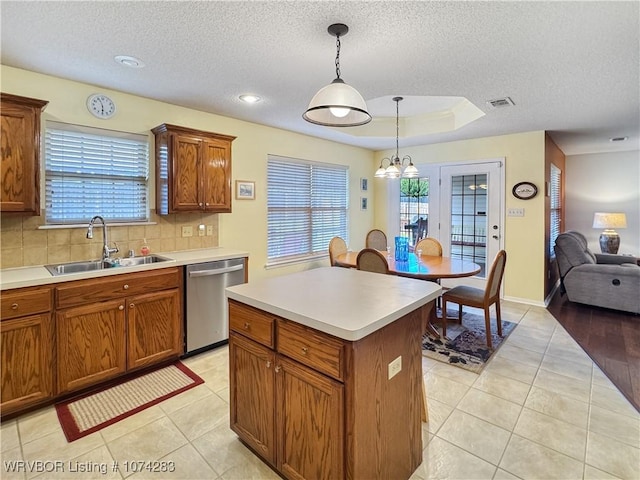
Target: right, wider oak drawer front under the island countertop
[312,348]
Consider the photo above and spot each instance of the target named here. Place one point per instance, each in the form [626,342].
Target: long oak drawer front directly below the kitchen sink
[107,288]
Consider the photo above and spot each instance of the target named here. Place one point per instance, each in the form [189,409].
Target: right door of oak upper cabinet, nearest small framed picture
[217,176]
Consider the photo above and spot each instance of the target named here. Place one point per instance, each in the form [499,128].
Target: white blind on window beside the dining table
[307,206]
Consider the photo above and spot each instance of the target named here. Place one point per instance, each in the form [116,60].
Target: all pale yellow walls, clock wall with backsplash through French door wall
[246,227]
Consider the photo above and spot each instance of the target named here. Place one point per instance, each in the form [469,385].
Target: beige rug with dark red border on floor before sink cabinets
[81,416]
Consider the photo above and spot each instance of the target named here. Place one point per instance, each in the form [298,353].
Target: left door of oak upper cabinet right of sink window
[186,174]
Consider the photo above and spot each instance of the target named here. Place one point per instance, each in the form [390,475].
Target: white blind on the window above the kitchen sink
[90,171]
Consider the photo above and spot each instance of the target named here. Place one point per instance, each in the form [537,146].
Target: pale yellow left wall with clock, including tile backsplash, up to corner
[246,228]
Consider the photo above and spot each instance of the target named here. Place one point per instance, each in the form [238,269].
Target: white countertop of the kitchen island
[347,303]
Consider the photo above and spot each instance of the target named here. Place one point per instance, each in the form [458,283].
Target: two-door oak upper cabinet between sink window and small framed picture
[193,170]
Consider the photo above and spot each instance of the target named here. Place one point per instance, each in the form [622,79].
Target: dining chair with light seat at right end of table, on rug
[478,297]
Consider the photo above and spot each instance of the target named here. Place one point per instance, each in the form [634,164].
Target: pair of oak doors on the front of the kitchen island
[289,414]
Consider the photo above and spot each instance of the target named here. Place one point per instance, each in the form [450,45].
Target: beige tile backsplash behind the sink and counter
[23,244]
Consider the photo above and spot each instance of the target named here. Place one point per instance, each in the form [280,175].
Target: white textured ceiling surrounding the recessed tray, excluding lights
[572,68]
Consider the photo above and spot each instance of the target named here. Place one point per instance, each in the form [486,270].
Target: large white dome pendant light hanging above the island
[337,104]
